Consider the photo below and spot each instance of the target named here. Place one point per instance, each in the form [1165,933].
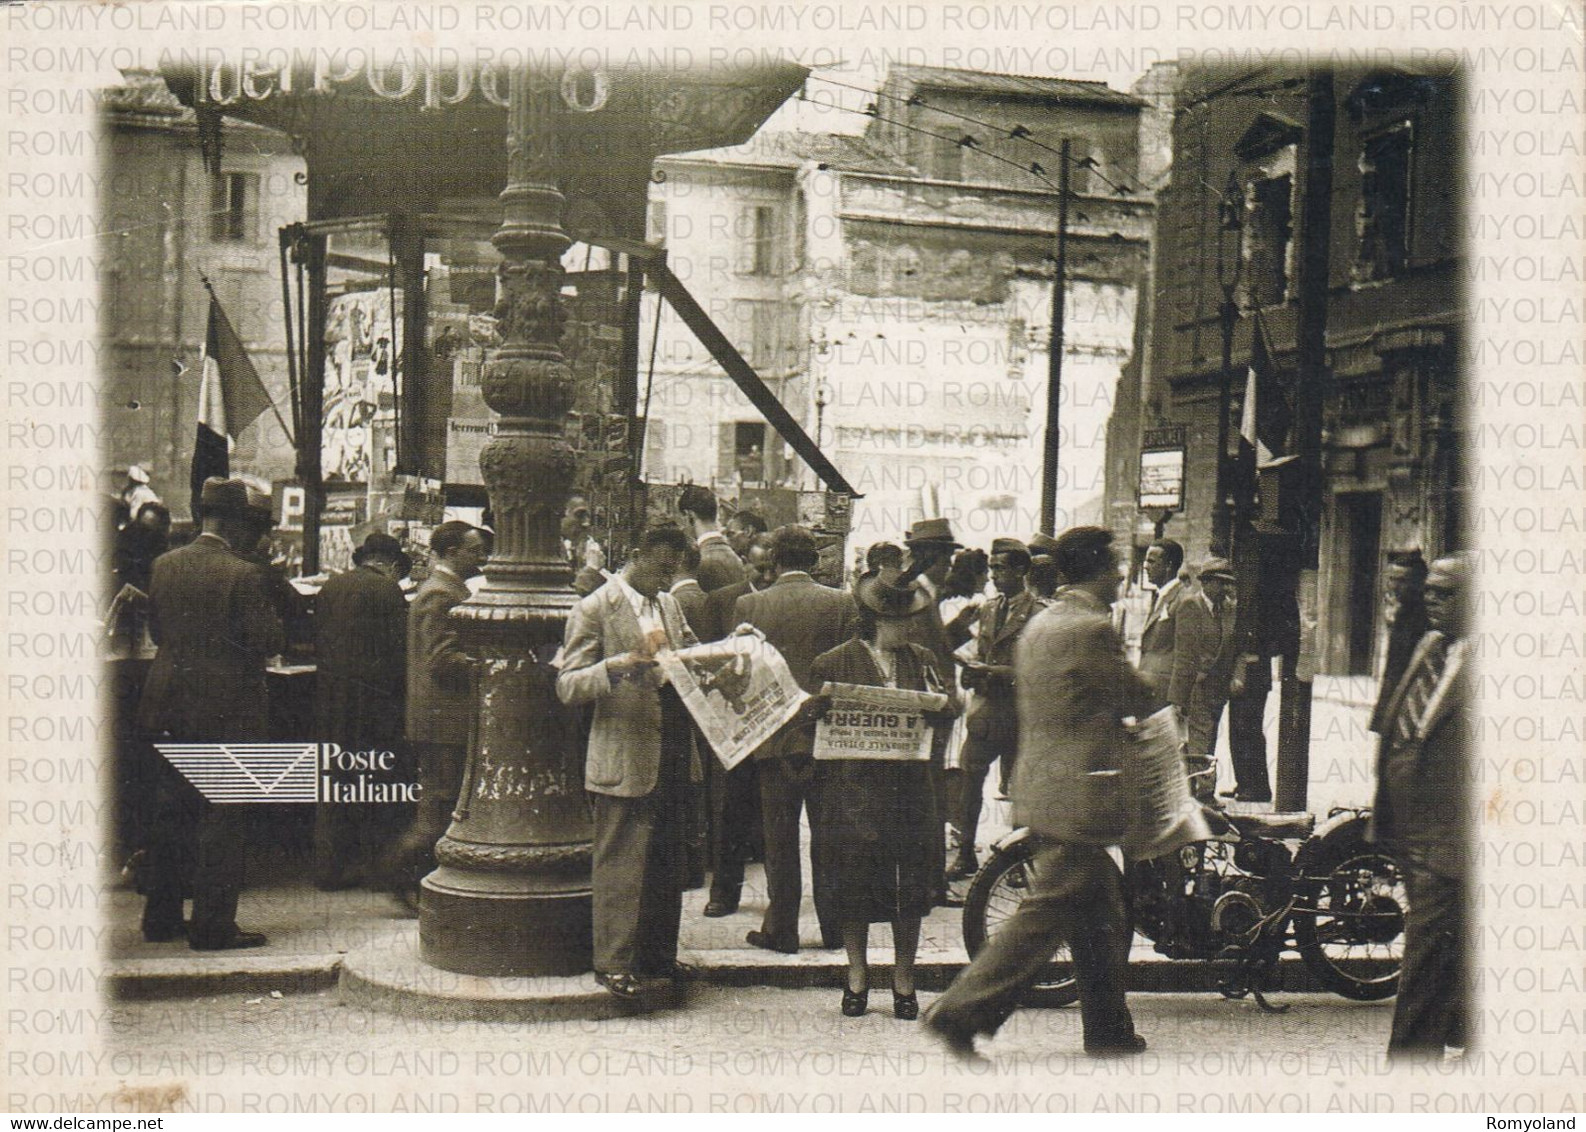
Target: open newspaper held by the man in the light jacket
[738,690]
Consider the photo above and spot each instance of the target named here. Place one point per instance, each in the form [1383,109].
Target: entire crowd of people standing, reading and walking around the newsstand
[1021,640]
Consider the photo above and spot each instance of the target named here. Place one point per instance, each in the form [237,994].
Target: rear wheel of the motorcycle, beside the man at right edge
[1354,943]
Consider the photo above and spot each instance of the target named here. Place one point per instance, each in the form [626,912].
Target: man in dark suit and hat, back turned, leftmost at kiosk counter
[212,618]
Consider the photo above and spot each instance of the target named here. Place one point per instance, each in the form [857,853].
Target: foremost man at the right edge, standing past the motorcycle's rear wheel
[1422,817]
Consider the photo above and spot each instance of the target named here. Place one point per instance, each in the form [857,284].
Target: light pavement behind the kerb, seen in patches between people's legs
[310,931]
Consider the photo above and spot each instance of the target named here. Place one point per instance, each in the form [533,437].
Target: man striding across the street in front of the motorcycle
[1075,690]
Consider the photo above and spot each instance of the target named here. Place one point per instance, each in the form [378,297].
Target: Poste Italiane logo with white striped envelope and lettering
[289,773]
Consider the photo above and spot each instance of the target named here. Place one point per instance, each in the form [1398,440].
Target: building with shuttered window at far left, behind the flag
[169,223]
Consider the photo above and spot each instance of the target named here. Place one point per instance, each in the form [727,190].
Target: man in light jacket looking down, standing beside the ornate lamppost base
[642,762]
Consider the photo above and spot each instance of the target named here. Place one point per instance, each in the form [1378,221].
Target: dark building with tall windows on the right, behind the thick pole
[1228,218]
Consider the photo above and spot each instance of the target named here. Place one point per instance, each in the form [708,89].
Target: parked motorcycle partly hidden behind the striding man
[1263,885]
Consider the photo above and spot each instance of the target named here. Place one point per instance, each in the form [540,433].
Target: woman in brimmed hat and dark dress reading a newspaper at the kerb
[881,817]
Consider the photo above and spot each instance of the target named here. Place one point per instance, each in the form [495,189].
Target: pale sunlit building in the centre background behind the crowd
[895,291]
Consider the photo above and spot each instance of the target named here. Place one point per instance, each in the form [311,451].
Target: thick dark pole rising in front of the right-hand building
[1303,518]
